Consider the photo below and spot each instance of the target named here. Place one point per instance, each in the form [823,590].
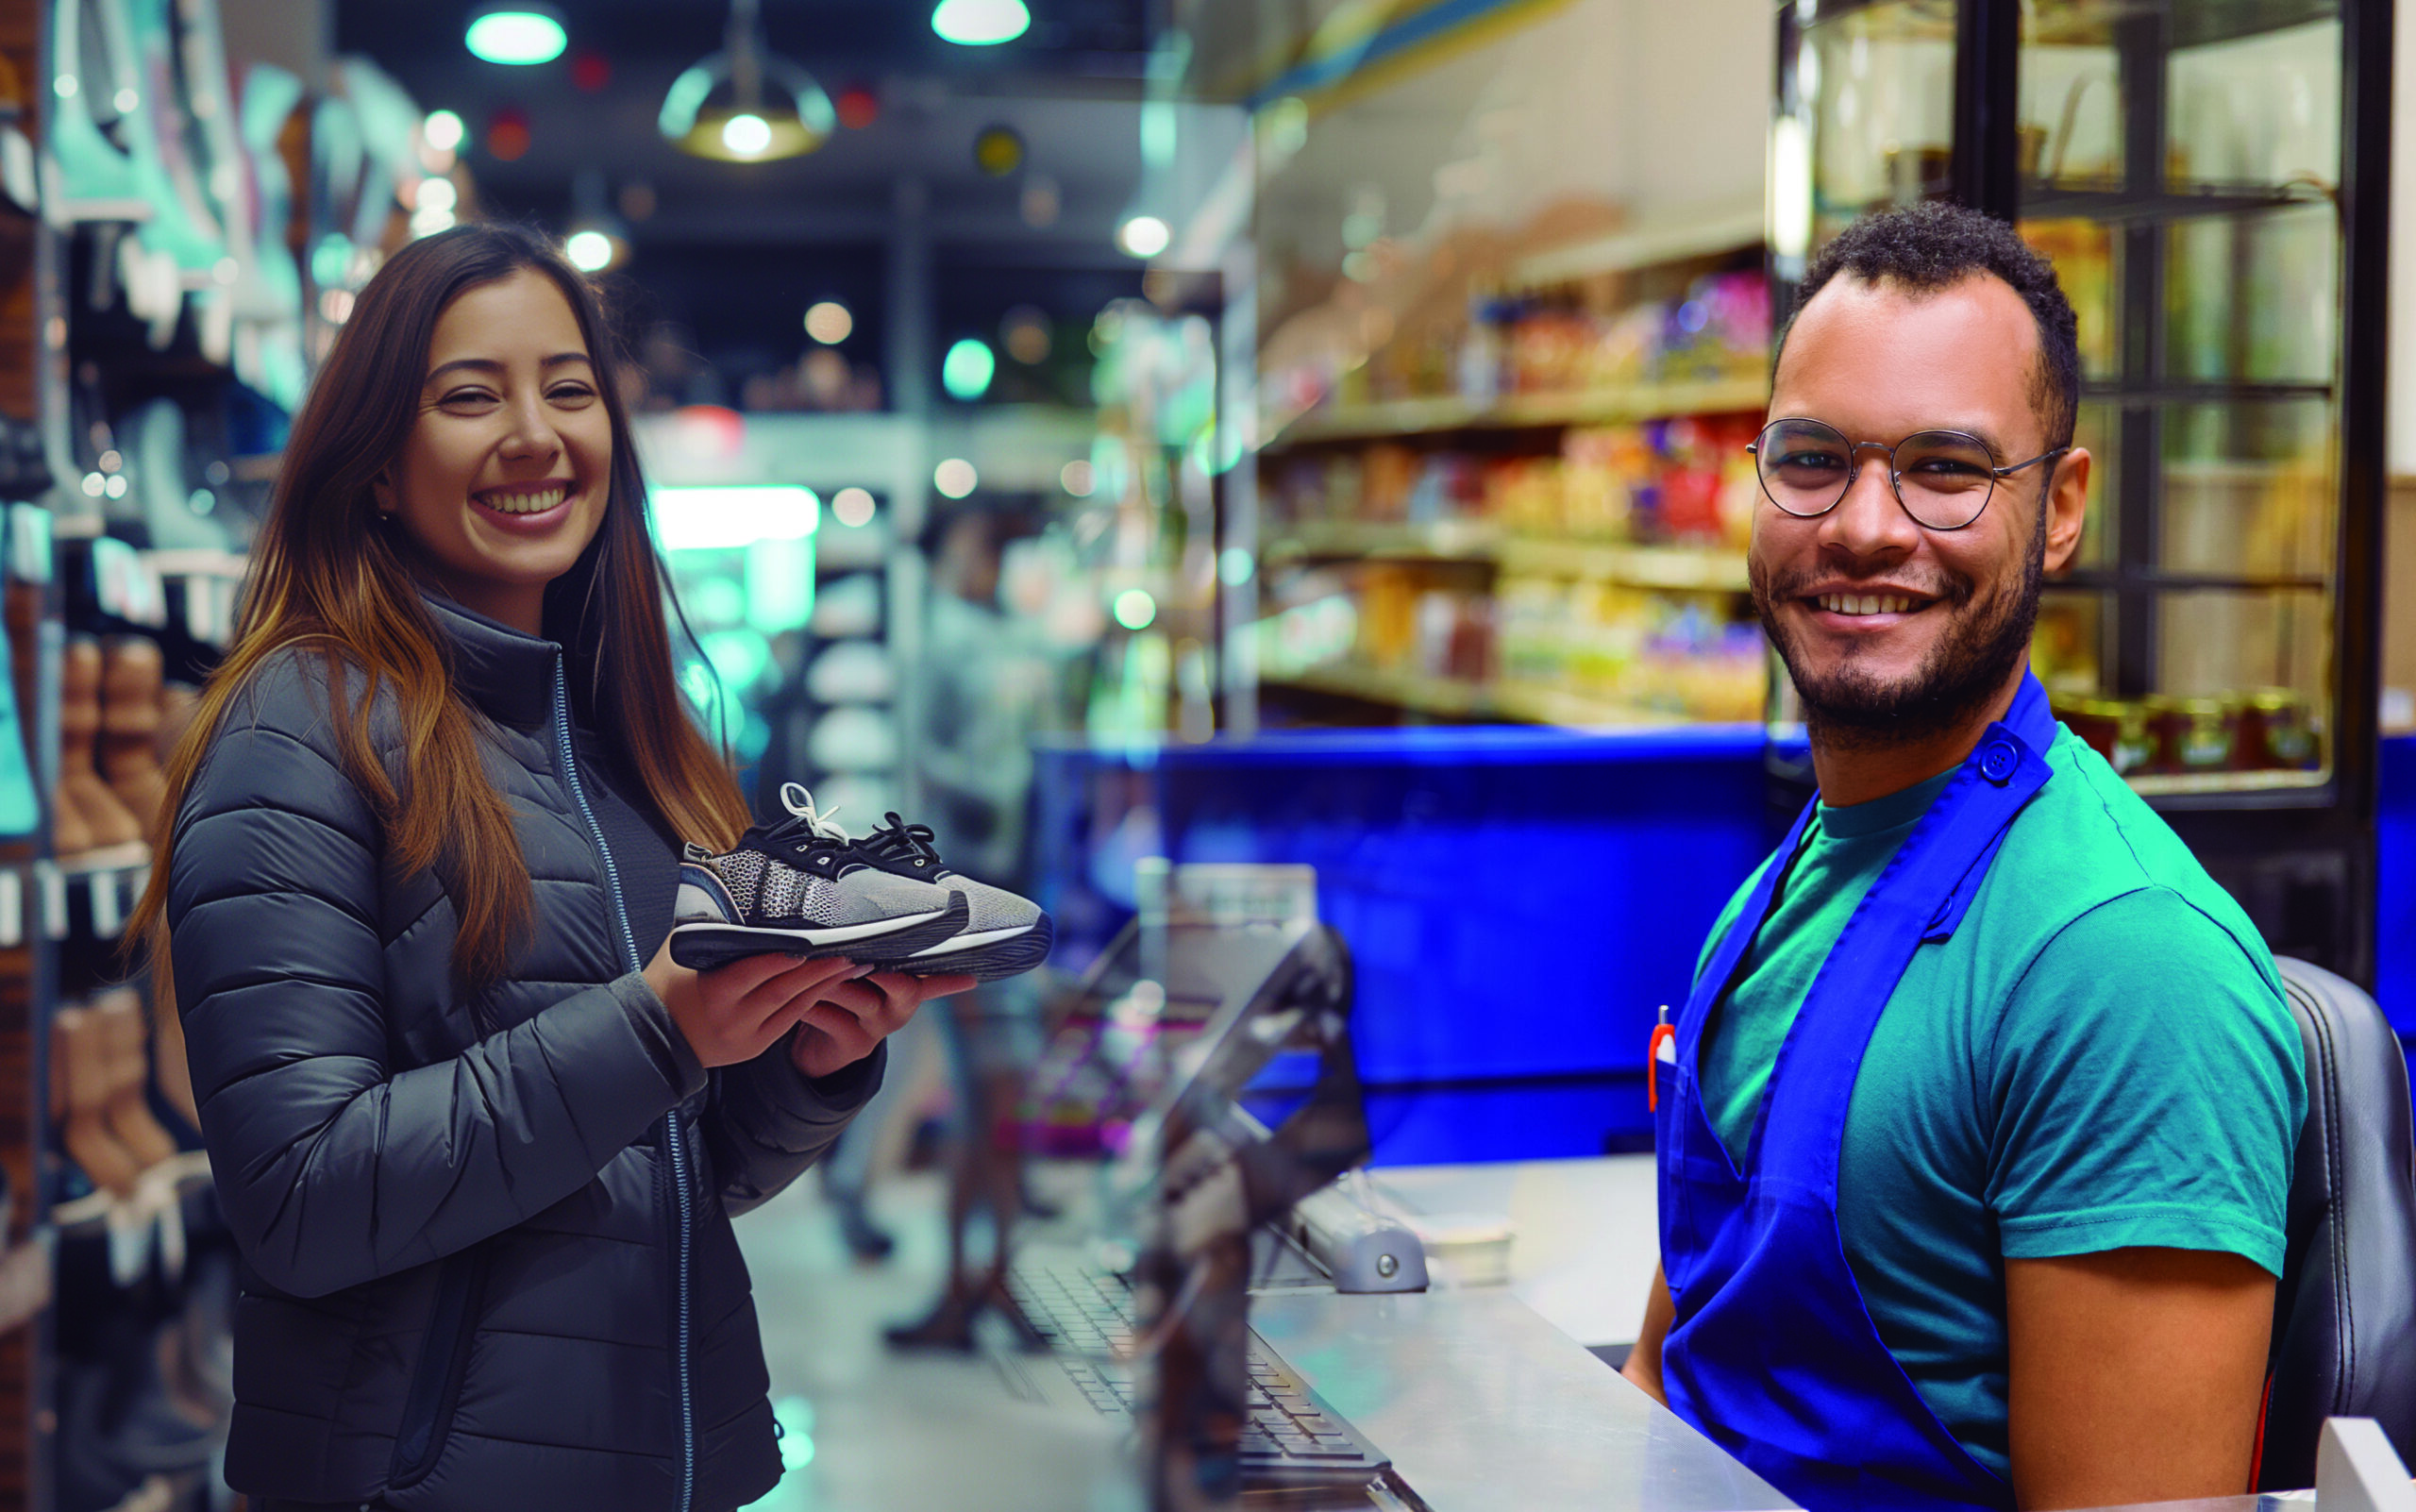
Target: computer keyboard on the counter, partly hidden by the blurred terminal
[1289,1438]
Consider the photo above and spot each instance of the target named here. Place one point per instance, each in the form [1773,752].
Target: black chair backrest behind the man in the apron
[2345,1315]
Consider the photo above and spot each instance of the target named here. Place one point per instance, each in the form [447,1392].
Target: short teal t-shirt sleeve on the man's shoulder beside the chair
[2149,1086]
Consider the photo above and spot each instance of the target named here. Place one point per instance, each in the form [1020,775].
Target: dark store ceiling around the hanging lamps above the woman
[733,252]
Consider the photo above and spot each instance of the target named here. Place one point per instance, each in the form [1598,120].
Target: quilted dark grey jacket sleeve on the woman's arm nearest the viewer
[332,1165]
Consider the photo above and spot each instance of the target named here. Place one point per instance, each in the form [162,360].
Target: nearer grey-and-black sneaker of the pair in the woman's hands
[798,888]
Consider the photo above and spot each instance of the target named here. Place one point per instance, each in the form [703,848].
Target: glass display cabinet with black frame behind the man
[2209,180]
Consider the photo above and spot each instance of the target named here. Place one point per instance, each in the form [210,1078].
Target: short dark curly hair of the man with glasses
[1934,245]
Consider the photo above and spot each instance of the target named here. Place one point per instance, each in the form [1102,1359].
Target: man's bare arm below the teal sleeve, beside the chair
[2137,1376]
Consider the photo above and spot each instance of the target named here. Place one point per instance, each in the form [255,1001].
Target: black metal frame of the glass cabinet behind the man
[2299,859]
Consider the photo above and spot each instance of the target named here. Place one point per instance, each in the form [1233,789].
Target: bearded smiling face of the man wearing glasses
[1895,632]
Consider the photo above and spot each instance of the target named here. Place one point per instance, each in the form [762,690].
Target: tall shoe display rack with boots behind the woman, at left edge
[178,248]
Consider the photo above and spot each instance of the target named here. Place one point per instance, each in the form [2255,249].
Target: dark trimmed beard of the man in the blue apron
[1963,673]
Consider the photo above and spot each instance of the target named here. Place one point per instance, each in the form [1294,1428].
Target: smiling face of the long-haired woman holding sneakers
[504,477]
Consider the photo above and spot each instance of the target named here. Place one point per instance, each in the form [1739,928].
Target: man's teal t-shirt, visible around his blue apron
[2096,1059]
